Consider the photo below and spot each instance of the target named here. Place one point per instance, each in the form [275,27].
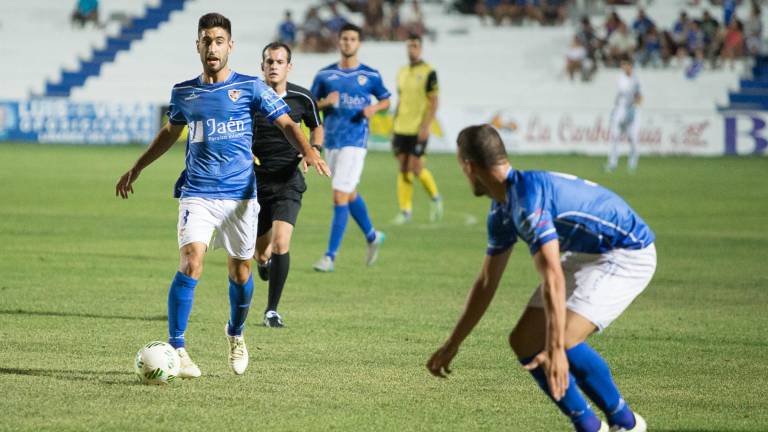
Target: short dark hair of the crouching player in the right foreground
[482,145]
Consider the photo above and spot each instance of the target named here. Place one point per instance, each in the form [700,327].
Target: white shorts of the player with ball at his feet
[229,223]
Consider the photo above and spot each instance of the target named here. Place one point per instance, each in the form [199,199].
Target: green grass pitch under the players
[84,278]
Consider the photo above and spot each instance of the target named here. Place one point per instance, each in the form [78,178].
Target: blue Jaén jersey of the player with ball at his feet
[219,163]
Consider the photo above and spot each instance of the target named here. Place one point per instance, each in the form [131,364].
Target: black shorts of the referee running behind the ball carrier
[279,196]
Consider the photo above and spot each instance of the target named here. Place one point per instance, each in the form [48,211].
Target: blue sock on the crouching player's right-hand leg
[594,378]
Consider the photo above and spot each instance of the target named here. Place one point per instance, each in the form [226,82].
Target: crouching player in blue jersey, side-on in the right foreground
[594,254]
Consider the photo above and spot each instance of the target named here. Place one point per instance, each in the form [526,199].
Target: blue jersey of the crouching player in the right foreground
[584,216]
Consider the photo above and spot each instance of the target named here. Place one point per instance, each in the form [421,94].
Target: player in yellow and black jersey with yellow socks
[417,104]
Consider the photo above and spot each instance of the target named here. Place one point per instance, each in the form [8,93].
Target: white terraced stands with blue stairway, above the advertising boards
[479,66]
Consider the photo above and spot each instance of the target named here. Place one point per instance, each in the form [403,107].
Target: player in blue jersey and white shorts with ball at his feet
[217,189]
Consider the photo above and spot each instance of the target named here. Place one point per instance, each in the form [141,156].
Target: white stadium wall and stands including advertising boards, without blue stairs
[512,77]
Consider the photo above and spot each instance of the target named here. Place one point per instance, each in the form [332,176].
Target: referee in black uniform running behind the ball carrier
[280,183]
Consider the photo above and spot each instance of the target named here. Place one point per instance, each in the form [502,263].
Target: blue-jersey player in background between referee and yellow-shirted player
[344,91]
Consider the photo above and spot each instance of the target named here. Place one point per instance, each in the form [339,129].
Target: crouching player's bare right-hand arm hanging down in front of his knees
[553,359]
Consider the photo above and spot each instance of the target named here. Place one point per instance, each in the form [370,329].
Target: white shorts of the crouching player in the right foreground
[600,287]
